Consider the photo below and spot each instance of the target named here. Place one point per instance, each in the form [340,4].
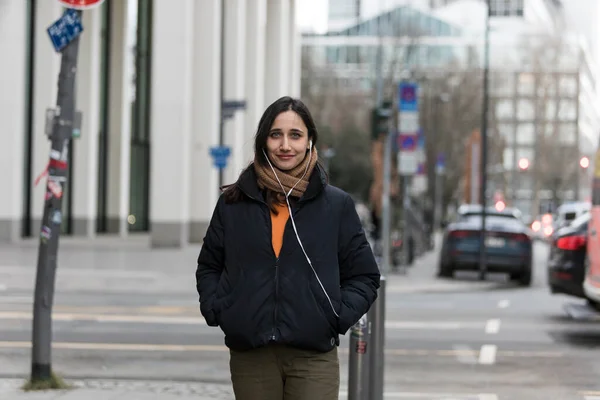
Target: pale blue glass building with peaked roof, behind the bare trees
[410,38]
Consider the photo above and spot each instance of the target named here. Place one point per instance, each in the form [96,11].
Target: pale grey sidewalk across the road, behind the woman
[113,265]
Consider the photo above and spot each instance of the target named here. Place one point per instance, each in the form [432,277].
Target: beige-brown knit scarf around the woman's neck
[266,178]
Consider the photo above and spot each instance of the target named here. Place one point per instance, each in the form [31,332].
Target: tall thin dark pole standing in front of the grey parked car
[484,147]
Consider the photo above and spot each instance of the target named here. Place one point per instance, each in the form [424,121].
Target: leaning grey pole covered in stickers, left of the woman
[60,137]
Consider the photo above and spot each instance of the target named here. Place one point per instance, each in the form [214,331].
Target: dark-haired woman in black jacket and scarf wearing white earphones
[285,266]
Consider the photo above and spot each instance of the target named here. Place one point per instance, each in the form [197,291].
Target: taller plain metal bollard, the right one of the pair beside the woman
[376,317]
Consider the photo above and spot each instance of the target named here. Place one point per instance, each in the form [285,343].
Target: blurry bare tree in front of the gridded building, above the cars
[552,62]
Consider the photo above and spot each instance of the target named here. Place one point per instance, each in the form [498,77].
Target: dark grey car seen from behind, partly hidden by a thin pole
[508,245]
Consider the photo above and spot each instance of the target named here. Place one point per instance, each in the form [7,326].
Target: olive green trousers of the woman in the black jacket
[279,372]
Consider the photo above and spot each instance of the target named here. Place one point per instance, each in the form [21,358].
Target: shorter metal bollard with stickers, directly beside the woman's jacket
[358,363]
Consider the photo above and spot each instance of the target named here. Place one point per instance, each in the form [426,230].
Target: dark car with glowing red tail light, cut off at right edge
[566,262]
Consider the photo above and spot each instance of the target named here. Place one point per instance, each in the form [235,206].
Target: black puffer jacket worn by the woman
[257,298]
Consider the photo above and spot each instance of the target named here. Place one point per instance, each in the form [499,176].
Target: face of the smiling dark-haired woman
[288,141]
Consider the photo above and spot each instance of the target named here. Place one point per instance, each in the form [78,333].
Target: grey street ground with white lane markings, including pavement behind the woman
[137,319]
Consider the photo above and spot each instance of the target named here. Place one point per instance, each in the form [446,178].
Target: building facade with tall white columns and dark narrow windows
[149,86]
